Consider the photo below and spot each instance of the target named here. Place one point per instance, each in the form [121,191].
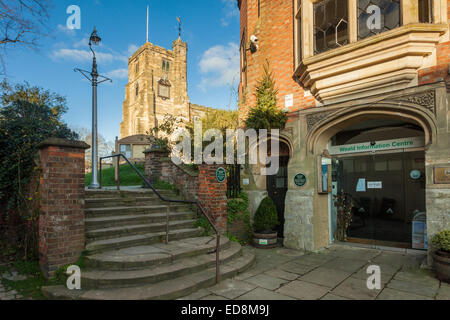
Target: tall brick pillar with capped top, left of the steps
[61,220]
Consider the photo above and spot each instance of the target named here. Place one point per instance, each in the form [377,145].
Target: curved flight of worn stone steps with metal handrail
[127,258]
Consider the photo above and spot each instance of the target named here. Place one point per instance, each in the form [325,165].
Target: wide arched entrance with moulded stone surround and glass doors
[377,158]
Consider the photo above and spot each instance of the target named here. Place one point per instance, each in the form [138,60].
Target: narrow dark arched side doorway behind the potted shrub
[277,185]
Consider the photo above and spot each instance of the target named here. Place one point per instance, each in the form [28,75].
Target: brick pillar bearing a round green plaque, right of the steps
[212,195]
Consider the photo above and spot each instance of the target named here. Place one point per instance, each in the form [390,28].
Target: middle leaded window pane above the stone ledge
[376,16]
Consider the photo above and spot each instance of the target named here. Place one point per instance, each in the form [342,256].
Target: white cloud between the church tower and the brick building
[219,66]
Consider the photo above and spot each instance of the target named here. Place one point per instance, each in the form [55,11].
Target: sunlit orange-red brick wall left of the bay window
[275,32]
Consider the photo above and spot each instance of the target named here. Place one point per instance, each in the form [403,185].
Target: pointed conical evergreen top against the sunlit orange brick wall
[266,115]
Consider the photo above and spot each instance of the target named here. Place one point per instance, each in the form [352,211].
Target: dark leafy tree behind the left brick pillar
[28,116]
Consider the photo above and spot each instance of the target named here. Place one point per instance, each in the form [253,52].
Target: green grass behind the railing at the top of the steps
[128,177]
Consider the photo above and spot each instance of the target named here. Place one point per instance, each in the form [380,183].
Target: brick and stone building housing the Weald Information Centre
[364,84]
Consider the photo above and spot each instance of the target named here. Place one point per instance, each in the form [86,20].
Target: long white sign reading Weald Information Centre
[401,143]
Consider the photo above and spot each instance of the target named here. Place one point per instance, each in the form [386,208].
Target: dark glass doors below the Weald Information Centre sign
[385,196]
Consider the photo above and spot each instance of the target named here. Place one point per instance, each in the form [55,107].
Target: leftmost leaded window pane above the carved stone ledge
[330,25]
